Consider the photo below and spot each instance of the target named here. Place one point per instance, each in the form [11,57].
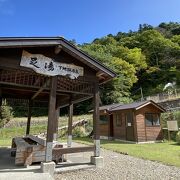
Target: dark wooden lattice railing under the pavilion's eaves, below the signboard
[33,80]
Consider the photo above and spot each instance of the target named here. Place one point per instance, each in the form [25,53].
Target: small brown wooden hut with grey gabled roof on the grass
[139,121]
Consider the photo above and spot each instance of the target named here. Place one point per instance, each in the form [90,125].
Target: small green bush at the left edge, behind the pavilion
[5,115]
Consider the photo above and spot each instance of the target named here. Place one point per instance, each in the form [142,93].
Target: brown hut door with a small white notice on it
[129,127]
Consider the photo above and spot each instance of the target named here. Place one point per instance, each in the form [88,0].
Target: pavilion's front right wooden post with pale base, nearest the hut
[96,120]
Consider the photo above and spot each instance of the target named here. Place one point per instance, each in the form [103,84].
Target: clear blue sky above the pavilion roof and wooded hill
[82,20]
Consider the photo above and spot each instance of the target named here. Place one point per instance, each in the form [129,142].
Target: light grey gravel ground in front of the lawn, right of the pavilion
[118,166]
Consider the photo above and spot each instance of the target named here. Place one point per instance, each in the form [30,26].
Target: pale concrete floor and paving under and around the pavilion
[8,170]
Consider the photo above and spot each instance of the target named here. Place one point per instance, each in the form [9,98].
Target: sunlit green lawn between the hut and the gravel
[166,152]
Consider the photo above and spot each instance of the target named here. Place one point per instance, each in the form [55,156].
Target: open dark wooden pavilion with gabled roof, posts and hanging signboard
[52,70]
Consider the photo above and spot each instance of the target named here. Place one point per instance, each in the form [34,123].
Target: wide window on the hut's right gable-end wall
[152,119]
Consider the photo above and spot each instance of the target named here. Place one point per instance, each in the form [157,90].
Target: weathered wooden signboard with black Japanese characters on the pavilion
[47,66]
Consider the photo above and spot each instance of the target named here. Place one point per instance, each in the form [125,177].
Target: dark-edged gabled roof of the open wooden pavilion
[104,74]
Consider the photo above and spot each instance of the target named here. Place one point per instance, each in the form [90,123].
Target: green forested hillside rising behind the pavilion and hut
[147,58]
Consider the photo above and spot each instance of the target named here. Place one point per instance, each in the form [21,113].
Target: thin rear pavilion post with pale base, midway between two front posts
[69,138]
